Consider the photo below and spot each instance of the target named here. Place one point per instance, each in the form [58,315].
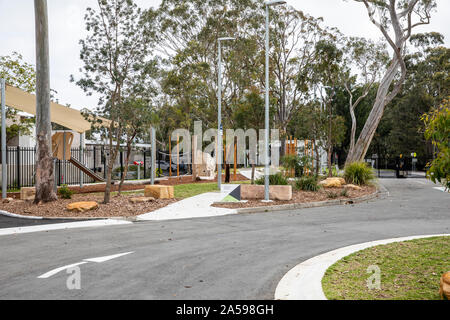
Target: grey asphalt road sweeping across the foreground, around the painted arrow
[232,257]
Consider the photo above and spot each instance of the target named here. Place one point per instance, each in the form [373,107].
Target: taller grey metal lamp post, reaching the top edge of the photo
[267,133]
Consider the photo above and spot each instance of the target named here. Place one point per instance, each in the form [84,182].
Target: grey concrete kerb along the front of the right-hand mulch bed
[381,192]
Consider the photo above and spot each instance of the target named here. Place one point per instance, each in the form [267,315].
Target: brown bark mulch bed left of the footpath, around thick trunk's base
[118,207]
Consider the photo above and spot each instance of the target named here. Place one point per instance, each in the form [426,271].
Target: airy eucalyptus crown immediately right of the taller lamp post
[295,36]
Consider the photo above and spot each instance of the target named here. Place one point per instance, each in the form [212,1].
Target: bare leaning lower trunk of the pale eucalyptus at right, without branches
[366,137]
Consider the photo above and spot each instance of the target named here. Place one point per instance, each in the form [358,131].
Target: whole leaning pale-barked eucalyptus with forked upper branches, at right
[396,20]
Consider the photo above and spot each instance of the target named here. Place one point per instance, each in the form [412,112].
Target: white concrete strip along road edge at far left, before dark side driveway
[62,226]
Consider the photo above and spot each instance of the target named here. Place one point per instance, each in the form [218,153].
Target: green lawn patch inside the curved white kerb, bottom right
[409,271]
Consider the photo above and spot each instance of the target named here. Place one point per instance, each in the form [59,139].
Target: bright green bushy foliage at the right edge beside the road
[437,125]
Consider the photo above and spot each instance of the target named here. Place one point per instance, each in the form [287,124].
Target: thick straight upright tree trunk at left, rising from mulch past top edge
[44,158]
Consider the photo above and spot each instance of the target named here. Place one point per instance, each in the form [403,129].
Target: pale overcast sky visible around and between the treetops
[67,28]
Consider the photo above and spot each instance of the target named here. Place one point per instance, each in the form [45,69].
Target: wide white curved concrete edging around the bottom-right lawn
[304,282]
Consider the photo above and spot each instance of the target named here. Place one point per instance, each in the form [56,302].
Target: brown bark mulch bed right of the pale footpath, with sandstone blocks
[306,197]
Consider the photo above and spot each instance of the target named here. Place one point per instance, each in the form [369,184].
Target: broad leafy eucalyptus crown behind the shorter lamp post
[187,33]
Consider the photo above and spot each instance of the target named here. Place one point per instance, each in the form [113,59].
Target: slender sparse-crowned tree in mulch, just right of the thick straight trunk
[115,53]
